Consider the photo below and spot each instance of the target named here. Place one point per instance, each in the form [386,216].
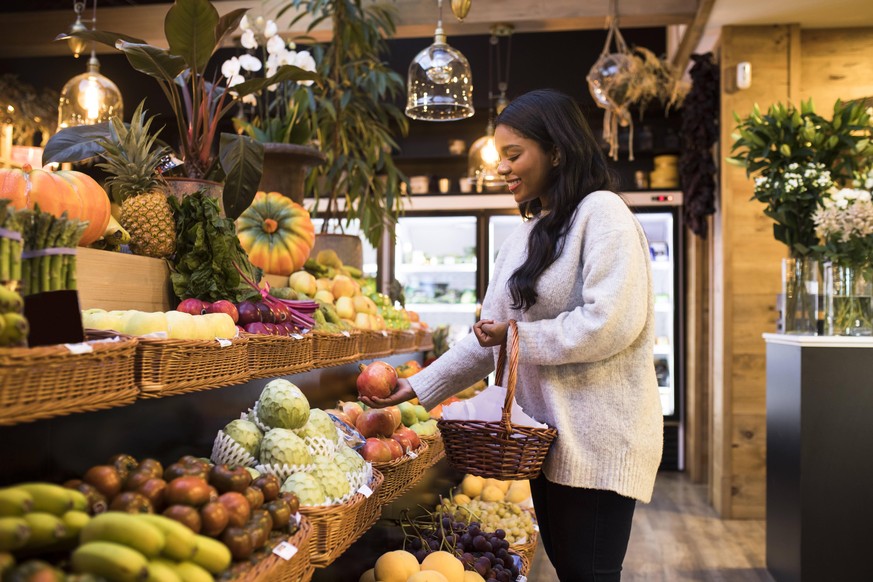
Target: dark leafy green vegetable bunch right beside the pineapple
[206,250]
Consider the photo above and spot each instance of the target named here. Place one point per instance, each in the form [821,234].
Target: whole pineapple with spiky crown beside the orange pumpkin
[130,157]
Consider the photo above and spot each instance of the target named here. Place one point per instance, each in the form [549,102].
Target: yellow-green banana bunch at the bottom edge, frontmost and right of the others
[129,547]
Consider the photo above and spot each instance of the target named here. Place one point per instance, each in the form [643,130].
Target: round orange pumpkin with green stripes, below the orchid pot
[276,233]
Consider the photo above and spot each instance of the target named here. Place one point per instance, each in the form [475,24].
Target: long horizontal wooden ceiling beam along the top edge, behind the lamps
[31,34]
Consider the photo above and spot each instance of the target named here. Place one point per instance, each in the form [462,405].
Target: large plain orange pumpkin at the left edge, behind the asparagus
[55,192]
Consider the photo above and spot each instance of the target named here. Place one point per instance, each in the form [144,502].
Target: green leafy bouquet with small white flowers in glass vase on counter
[796,156]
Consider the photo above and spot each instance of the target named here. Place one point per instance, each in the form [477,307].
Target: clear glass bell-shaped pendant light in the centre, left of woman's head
[440,83]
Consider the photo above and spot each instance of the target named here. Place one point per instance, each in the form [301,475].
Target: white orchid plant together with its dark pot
[278,115]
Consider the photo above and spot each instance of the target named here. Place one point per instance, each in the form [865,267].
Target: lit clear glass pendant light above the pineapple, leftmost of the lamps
[91,97]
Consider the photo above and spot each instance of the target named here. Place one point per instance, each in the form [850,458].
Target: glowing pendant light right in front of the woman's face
[483,158]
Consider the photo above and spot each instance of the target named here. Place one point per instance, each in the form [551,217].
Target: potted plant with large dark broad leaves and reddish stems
[194,31]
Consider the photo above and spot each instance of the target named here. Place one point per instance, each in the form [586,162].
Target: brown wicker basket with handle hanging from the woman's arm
[500,450]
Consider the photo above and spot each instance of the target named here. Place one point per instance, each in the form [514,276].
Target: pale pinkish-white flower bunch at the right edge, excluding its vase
[844,223]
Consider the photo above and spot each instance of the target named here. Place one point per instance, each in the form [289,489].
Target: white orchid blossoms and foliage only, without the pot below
[278,112]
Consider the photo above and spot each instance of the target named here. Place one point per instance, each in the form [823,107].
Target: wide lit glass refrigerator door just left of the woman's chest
[435,261]
